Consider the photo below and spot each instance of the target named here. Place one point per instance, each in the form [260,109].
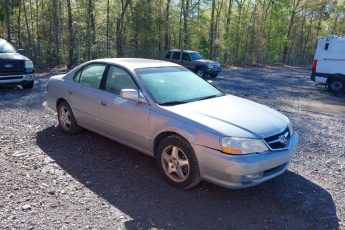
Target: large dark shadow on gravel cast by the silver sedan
[129,181]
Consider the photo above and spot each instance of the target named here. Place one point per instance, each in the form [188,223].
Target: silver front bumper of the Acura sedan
[233,171]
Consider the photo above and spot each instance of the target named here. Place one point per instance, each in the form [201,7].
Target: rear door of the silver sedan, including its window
[84,94]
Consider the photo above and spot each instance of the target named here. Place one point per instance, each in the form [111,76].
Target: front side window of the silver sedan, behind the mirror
[118,79]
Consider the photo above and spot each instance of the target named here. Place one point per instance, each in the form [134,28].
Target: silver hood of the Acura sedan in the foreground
[233,116]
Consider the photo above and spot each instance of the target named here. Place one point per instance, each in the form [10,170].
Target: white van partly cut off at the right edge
[329,63]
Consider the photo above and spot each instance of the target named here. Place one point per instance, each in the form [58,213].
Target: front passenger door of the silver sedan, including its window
[124,120]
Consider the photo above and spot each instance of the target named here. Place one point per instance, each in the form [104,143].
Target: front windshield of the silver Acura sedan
[176,85]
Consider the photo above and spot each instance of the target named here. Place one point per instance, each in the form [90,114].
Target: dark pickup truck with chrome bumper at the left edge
[15,69]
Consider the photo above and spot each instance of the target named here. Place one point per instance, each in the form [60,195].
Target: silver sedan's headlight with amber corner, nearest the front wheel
[235,145]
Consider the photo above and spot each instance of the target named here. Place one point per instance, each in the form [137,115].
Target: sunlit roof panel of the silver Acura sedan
[136,63]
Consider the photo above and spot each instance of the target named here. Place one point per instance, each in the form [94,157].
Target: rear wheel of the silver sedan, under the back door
[66,119]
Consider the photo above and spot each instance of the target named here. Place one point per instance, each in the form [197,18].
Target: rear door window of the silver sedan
[92,74]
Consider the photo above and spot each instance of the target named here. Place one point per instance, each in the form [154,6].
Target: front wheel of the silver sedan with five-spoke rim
[177,162]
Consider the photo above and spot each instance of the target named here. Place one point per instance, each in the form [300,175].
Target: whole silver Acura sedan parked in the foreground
[192,129]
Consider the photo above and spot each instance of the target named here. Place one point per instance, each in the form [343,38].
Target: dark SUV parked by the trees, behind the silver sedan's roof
[194,61]
